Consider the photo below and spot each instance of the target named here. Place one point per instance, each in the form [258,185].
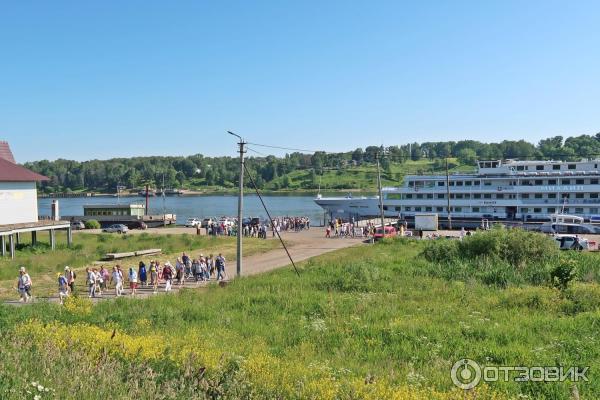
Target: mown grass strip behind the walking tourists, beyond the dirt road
[42,263]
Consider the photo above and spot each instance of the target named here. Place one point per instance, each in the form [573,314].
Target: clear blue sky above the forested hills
[85,79]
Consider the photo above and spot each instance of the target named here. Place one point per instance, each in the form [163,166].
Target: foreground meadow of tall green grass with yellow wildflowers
[379,322]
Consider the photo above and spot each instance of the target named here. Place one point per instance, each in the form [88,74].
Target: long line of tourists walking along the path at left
[99,281]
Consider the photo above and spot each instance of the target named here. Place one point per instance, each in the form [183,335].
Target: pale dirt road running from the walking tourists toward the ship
[301,245]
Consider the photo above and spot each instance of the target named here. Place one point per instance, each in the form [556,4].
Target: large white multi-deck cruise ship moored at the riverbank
[511,191]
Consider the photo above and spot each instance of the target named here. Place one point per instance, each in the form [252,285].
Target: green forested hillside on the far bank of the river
[330,171]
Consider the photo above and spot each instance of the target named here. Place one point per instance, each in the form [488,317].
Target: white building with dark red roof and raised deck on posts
[18,205]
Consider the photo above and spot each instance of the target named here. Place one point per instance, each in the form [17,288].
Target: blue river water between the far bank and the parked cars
[201,206]
